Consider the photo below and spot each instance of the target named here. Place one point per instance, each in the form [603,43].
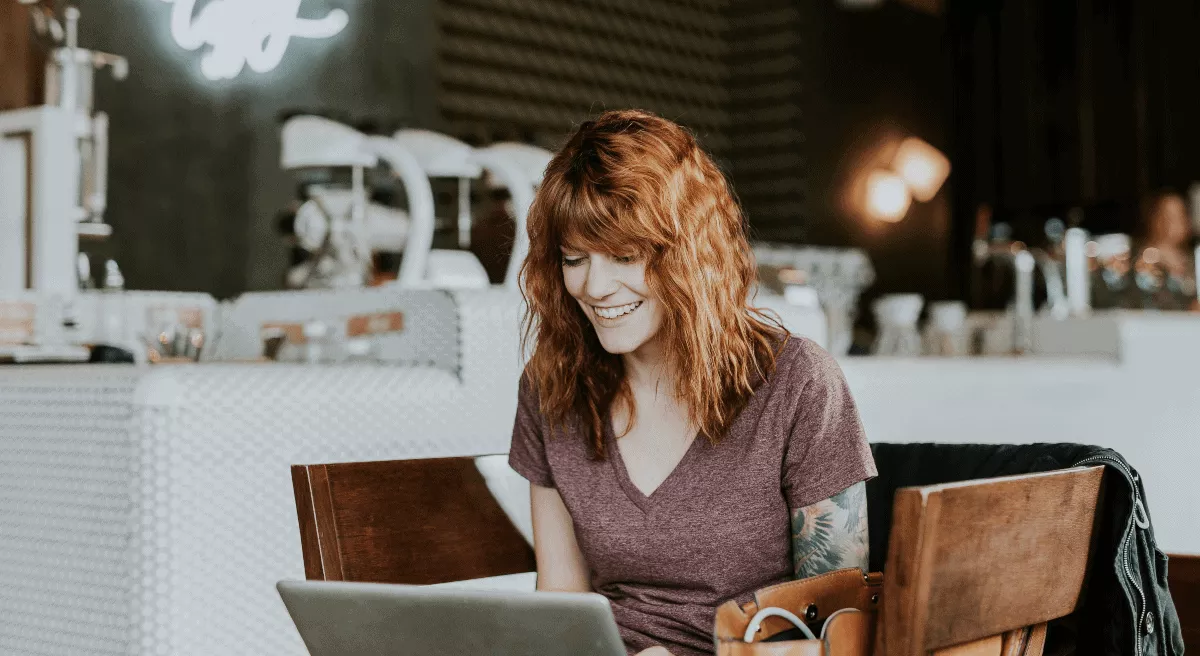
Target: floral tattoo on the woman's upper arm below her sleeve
[832,534]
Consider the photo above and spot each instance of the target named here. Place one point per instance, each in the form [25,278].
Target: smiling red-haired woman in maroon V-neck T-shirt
[682,449]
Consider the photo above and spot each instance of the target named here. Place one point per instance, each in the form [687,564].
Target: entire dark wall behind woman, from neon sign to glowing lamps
[195,177]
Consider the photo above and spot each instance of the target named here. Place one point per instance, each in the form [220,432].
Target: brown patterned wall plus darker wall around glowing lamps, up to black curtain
[785,94]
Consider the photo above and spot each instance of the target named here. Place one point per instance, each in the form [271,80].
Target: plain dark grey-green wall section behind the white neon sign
[195,176]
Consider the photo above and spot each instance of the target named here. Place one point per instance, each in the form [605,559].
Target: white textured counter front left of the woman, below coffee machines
[149,510]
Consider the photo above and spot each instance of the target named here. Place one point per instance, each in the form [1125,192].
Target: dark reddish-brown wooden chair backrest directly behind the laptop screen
[417,522]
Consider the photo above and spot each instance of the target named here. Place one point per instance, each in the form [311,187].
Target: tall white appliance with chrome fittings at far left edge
[53,166]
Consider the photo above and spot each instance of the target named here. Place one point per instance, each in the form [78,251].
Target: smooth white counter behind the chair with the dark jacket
[1150,417]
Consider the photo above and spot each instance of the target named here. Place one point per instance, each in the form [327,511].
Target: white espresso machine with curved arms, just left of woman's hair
[340,230]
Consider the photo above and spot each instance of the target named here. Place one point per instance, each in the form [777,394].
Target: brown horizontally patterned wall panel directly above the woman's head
[539,68]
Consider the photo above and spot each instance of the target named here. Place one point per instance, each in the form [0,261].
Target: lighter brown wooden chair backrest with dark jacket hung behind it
[987,562]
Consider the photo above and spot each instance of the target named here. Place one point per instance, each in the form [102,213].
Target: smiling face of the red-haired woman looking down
[614,296]
